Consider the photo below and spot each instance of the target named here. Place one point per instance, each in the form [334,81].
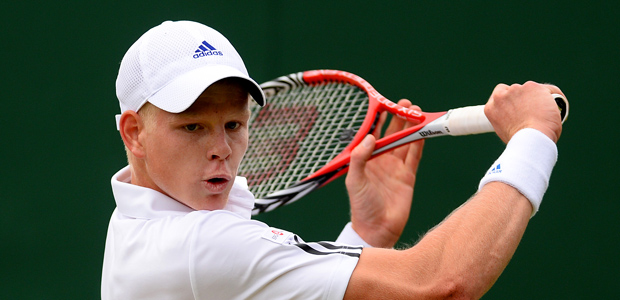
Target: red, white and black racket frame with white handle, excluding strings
[458,121]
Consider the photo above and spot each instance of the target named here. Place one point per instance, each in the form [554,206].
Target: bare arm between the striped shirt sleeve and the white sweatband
[462,256]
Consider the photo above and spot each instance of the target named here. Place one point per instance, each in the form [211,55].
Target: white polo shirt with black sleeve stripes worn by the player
[158,248]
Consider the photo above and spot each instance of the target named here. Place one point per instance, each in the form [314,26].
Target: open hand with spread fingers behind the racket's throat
[381,190]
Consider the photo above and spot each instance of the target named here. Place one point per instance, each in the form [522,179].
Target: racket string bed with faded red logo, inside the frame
[299,131]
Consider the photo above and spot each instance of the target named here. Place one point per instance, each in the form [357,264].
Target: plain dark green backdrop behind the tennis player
[60,147]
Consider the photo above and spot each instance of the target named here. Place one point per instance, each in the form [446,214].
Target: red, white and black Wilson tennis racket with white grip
[303,137]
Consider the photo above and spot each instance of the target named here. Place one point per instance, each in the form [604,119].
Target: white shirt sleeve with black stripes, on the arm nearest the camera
[236,258]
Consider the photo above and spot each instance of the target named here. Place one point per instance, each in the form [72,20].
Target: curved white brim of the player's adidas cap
[181,93]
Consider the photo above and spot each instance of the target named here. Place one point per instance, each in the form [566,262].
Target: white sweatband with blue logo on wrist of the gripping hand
[526,165]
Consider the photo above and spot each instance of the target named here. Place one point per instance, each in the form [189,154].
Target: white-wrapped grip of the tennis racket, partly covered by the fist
[472,120]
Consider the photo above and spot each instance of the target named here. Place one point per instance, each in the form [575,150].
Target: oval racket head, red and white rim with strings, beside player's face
[308,121]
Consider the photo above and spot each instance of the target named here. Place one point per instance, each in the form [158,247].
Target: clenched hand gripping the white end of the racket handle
[512,108]
